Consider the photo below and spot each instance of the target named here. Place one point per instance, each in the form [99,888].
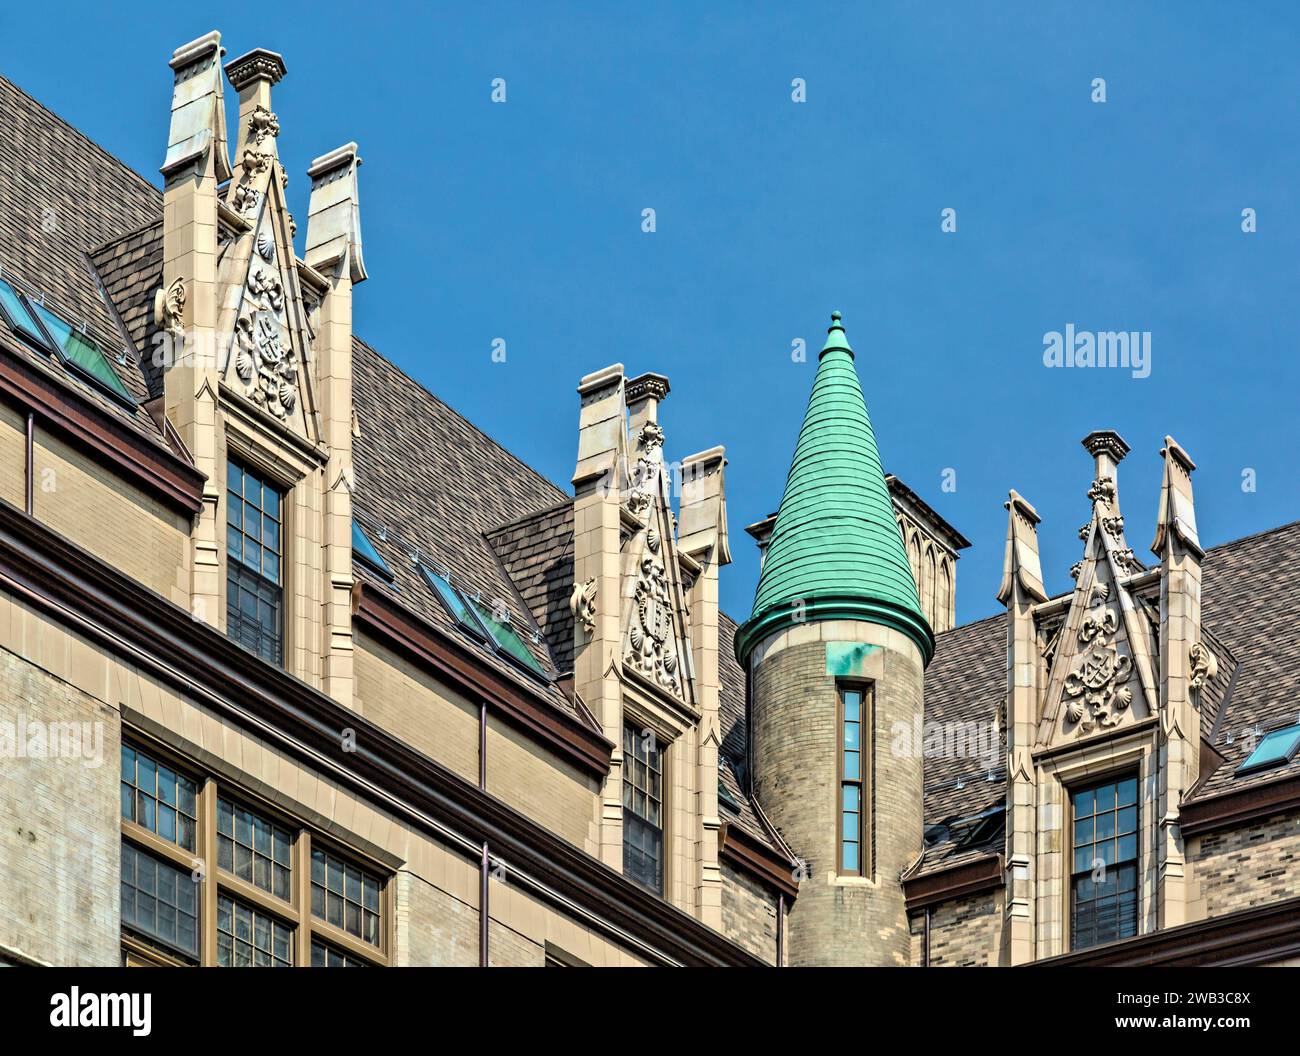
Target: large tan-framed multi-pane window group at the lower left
[168,903]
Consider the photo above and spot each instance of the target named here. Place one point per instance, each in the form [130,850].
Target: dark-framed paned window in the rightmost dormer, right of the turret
[1104,872]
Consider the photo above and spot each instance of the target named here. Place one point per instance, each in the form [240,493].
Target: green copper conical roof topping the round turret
[837,552]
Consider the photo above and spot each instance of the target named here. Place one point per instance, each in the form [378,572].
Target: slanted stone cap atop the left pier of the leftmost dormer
[198,109]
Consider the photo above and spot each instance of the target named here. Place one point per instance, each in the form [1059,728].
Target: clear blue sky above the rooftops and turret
[523,222]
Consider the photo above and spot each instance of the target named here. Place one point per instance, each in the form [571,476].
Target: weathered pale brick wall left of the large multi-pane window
[60,852]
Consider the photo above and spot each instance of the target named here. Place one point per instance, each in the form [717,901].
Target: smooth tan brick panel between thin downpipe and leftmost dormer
[112,520]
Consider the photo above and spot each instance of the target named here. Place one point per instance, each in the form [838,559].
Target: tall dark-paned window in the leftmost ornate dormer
[254,564]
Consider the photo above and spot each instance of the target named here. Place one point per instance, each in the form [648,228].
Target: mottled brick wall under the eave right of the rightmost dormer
[1255,865]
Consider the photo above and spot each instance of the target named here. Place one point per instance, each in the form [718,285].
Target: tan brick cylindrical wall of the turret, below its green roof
[839,920]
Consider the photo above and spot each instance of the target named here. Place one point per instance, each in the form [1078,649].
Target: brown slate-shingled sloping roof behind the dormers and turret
[428,482]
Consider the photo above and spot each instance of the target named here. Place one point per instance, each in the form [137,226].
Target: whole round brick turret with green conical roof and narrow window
[835,652]
